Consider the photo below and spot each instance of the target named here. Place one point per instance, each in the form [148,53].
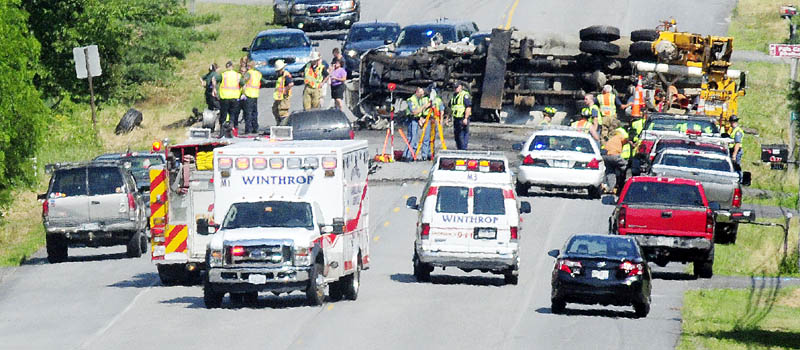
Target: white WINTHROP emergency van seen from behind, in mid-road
[468,216]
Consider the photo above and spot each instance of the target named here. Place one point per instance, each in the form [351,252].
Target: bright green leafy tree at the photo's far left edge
[22,112]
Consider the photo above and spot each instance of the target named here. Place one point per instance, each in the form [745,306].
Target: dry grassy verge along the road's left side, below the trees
[22,233]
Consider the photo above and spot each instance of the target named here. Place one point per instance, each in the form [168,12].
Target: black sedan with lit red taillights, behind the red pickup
[600,269]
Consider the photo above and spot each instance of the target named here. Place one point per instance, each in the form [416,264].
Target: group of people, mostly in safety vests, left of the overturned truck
[232,91]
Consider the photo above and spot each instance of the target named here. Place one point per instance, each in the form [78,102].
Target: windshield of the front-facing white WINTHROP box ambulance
[269,214]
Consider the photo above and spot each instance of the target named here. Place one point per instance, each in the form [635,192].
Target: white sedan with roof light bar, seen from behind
[558,158]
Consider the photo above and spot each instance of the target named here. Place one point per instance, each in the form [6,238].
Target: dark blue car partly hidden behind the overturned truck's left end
[365,36]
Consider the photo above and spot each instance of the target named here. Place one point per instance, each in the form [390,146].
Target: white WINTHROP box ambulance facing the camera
[292,216]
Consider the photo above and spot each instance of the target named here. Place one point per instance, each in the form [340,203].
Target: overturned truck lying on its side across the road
[512,73]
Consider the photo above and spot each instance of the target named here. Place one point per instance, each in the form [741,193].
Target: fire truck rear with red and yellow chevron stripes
[181,202]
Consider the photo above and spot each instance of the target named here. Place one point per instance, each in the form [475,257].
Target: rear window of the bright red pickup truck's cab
[663,193]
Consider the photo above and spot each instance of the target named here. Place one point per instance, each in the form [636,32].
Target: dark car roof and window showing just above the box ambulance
[320,124]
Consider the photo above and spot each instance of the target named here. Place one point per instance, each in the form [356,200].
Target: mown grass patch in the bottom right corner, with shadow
[762,317]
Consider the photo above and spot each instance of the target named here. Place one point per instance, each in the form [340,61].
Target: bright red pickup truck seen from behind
[670,218]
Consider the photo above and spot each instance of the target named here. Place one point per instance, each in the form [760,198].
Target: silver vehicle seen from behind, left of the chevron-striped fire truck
[95,205]
